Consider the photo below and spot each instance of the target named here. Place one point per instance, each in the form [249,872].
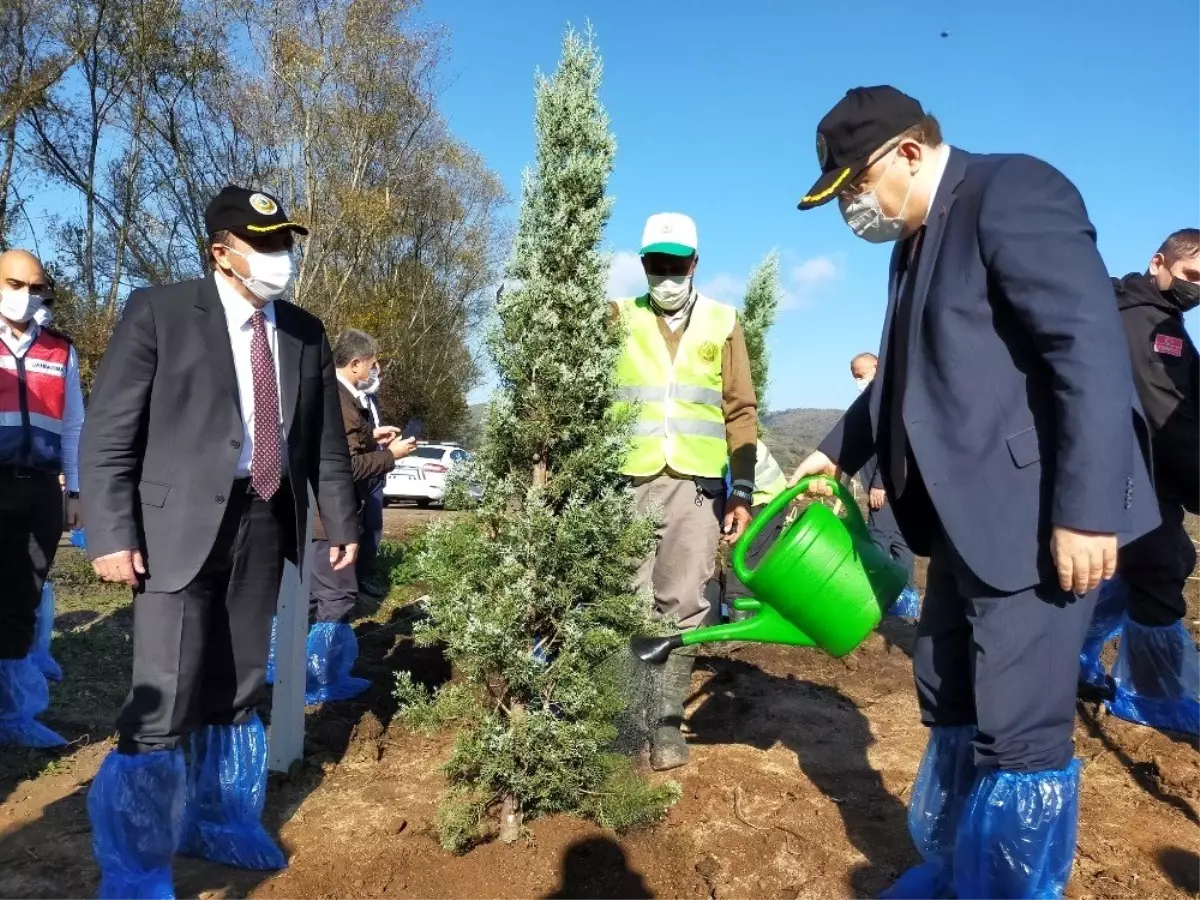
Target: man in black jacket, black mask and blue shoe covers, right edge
[1157,674]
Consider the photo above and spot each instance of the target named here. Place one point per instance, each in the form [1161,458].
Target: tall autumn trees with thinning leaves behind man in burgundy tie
[119,119]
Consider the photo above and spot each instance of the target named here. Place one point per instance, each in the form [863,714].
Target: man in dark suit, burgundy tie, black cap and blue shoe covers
[214,411]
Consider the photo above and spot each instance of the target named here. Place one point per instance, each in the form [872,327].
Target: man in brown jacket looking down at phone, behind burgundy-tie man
[333,647]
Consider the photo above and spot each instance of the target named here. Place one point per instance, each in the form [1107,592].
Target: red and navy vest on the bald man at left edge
[33,403]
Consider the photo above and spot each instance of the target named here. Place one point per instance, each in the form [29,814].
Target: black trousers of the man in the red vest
[31,529]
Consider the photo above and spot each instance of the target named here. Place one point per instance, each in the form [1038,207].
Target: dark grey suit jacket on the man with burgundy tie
[160,448]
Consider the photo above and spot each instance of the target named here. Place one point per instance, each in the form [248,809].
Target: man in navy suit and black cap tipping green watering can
[1019,482]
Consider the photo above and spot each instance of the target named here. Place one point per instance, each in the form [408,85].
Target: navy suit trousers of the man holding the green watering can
[1007,664]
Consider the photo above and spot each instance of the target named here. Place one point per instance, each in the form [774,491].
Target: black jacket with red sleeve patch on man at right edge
[1167,373]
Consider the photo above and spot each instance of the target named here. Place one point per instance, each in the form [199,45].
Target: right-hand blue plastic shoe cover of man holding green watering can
[1018,836]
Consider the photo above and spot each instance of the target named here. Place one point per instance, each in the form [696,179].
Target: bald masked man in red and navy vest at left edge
[41,416]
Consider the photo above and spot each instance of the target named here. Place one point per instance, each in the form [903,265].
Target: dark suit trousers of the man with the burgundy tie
[200,655]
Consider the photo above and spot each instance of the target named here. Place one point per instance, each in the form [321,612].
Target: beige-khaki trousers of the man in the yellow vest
[686,544]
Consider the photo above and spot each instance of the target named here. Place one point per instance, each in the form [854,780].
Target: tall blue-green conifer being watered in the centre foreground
[531,592]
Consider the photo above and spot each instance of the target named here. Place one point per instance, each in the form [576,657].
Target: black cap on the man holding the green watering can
[862,123]
